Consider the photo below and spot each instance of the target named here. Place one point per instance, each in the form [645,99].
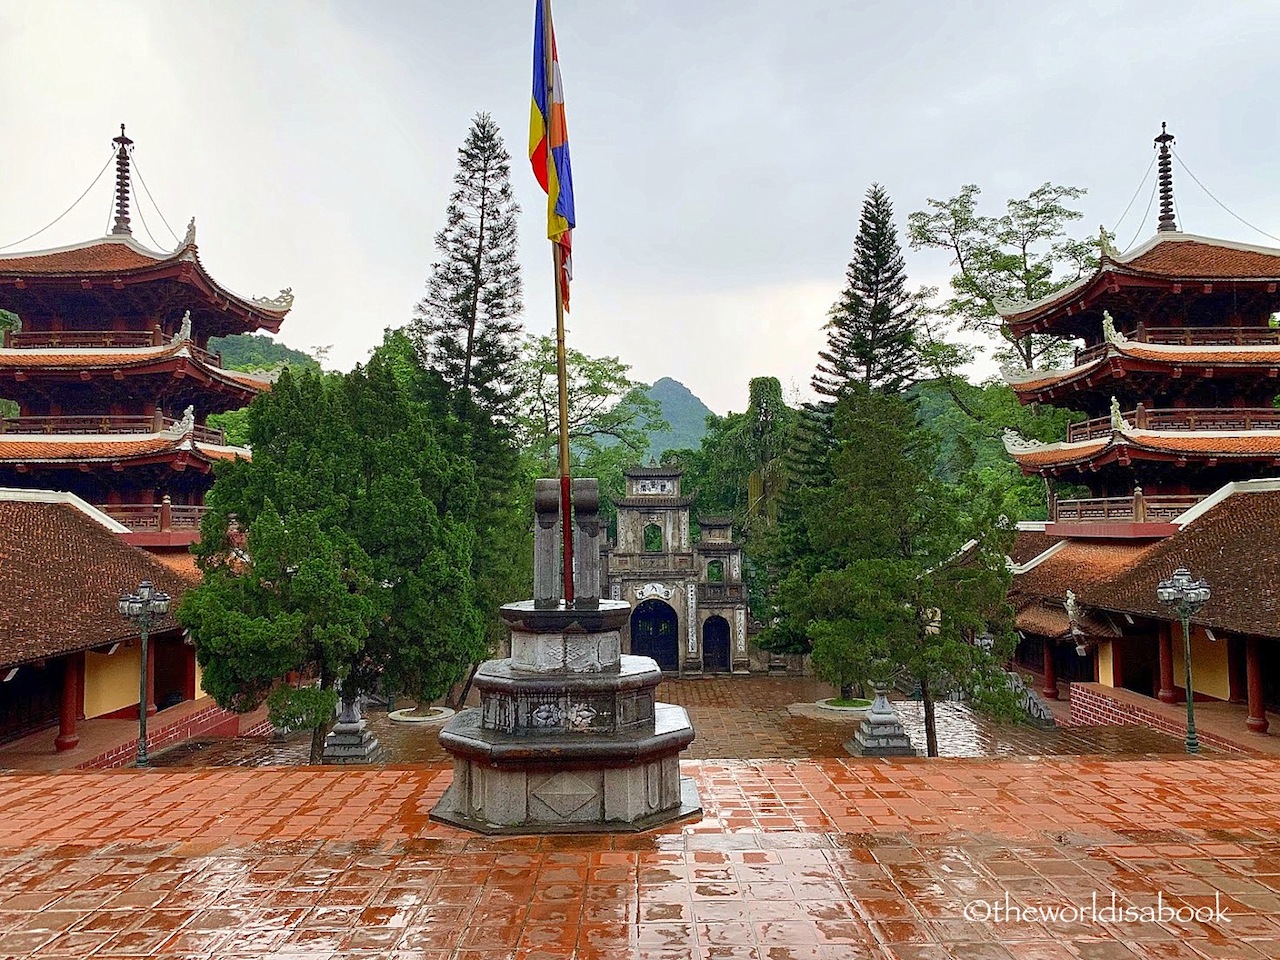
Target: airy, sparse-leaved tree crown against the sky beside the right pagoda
[1023,255]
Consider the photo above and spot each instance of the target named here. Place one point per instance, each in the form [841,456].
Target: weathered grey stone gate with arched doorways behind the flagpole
[689,607]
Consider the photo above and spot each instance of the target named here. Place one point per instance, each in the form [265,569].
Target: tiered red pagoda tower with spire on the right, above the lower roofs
[1178,369]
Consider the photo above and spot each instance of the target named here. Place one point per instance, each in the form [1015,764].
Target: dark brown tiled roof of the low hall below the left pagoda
[93,569]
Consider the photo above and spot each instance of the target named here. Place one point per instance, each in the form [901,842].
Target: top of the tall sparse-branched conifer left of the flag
[468,328]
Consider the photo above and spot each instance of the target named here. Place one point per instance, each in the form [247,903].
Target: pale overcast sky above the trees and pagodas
[721,148]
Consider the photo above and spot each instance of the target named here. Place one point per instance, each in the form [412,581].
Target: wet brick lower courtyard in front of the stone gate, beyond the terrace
[739,719]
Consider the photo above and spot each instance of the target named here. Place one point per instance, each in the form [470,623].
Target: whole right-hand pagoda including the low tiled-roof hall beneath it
[1177,374]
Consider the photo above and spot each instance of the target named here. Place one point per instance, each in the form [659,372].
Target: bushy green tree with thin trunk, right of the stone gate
[903,572]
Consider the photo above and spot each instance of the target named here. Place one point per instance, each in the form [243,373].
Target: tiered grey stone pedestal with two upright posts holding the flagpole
[570,737]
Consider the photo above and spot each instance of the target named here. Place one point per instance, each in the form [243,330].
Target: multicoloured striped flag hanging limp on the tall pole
[547,132]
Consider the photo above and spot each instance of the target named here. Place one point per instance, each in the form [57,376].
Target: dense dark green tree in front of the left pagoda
[342,552]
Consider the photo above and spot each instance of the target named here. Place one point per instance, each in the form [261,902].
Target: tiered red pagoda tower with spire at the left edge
[113,376]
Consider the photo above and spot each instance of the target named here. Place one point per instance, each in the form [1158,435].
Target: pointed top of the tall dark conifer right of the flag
[871,333]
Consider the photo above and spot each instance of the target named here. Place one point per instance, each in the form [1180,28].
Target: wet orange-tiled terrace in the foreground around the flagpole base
[817,860]
